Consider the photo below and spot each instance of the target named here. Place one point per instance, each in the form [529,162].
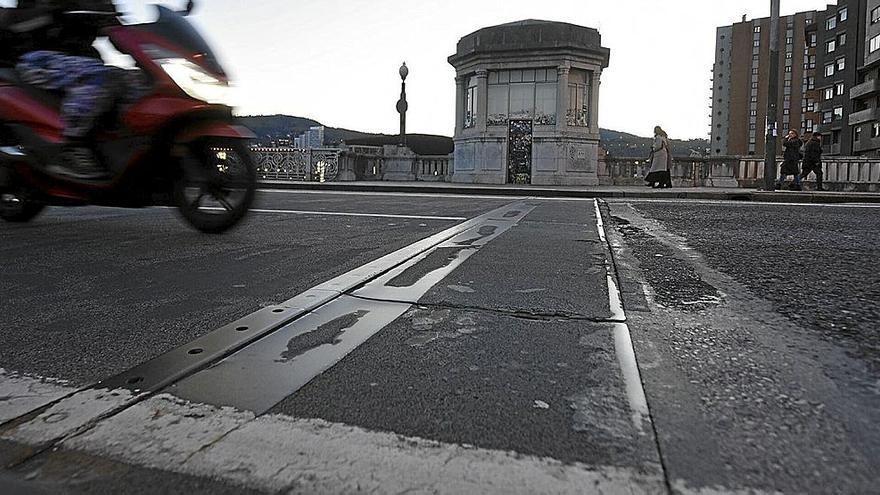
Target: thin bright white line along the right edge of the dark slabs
[623,346]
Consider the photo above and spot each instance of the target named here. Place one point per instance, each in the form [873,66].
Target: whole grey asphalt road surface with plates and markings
[340,343]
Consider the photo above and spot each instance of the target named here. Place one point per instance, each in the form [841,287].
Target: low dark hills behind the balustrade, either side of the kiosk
[271,128]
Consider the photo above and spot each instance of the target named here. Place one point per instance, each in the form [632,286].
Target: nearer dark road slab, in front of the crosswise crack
[539,387]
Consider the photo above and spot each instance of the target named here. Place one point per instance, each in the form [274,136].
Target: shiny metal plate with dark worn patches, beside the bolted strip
[264,373]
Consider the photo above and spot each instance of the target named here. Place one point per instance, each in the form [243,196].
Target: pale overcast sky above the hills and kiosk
[336,61]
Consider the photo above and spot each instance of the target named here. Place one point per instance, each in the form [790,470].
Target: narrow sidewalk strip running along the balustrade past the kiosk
[608,192]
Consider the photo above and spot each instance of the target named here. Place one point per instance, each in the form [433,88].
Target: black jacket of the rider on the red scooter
[42,25]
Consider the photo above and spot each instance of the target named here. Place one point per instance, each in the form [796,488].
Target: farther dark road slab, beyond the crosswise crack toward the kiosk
[524,271]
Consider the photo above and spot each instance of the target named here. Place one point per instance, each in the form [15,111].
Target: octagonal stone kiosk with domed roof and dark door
[527,100]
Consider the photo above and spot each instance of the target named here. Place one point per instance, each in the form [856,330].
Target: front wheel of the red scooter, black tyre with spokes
[216,185]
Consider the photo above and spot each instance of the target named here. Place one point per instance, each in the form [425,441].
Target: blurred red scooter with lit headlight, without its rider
[177,145]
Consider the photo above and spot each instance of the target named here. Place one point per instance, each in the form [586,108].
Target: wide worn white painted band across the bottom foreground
[280,454]
